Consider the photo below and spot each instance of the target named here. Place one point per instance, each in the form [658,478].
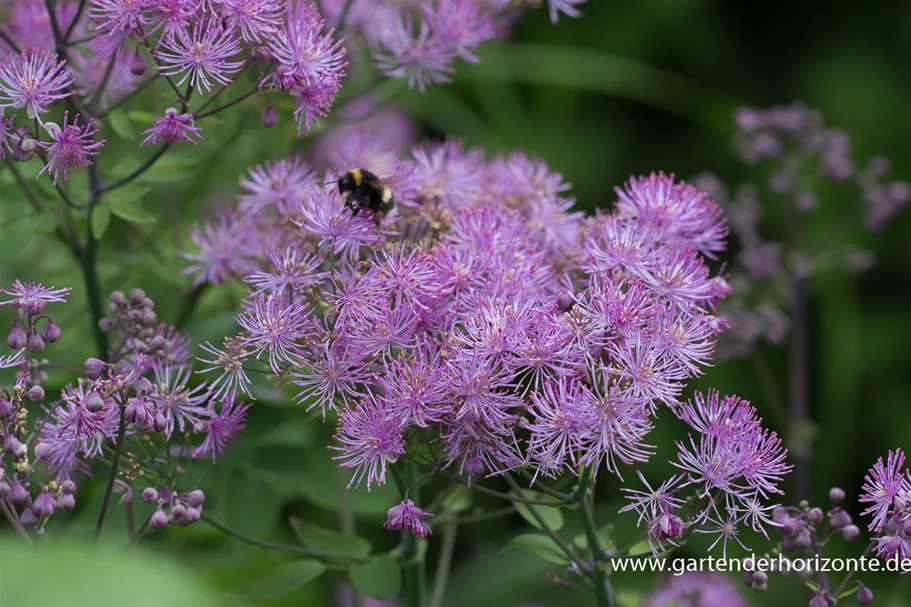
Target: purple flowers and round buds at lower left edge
[144,394]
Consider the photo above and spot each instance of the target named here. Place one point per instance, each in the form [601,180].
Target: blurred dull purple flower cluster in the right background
[802,152]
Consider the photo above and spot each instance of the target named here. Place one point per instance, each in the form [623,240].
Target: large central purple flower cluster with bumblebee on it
[519,332]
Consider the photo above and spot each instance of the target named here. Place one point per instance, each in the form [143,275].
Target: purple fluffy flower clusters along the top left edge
[93,55]
